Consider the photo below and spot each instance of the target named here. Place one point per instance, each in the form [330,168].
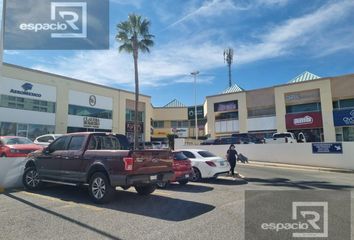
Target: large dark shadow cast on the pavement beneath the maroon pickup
[155,206]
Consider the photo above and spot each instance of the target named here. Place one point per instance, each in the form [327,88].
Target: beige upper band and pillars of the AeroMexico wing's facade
[63,86]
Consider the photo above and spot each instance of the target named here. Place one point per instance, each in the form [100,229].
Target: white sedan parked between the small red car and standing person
[206,164]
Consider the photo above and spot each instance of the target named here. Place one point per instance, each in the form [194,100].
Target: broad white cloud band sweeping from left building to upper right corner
[171,63]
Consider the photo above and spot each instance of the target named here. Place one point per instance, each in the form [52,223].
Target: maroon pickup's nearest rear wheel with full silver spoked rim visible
[100,189]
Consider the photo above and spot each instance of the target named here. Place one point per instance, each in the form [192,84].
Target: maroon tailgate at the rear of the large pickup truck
[152,161]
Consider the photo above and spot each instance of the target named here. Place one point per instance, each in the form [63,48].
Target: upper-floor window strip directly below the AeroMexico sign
[7,101]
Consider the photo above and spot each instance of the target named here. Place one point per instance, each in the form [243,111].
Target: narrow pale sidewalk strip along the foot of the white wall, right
[299,167]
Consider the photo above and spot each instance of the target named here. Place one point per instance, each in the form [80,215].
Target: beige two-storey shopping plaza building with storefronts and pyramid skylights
[33,103]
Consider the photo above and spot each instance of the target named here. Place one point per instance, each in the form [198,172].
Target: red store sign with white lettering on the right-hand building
[304,120]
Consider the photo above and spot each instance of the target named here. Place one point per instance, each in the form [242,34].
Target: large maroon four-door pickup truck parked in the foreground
[101,160]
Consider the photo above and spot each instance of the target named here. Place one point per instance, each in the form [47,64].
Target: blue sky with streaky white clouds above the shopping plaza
[273,40]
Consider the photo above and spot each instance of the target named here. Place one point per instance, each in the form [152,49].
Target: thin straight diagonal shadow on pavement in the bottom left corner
[98,231]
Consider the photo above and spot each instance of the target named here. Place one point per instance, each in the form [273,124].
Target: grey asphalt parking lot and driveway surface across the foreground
[212,209]
